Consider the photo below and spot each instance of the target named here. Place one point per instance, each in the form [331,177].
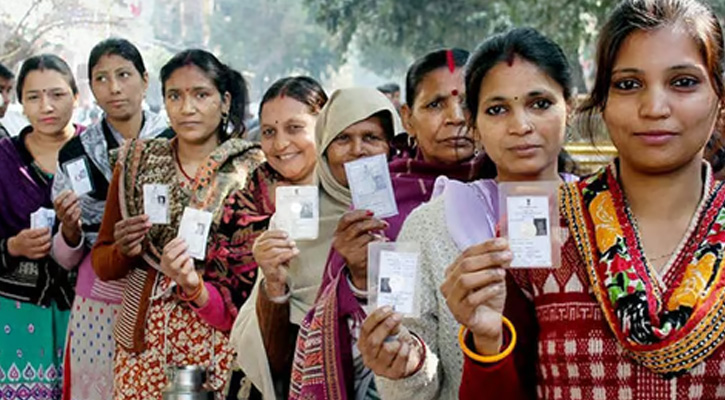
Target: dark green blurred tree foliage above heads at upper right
[410,28]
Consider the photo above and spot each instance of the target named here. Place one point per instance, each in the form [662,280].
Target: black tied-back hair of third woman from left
[226,80]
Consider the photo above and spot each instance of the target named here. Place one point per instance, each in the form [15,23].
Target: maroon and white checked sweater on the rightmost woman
[566,350]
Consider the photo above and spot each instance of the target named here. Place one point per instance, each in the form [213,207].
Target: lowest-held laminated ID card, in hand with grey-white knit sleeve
[393,274]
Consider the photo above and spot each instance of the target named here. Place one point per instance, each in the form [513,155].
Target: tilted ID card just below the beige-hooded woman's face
[371,186]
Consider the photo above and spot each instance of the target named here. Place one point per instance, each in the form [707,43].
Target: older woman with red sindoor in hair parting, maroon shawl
[434,118]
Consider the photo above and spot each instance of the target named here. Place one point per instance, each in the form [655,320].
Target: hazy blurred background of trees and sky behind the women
[339,42]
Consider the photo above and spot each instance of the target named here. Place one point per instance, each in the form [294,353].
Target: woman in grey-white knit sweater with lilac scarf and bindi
[519,94]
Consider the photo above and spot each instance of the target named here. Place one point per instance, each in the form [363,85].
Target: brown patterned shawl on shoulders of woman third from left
[153,162]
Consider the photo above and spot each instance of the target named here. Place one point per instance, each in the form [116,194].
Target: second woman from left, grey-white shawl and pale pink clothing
[118,81]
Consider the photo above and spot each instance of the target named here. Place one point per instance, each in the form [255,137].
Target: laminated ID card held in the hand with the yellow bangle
[529,219]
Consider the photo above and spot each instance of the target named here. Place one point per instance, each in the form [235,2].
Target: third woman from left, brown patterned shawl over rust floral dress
[160,325]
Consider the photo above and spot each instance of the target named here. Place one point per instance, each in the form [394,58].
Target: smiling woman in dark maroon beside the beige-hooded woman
[287,113]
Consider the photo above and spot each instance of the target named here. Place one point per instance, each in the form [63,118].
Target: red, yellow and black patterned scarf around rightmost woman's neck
[668,330]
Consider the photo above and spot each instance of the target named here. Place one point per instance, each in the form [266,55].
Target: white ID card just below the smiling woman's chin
[297,211]
